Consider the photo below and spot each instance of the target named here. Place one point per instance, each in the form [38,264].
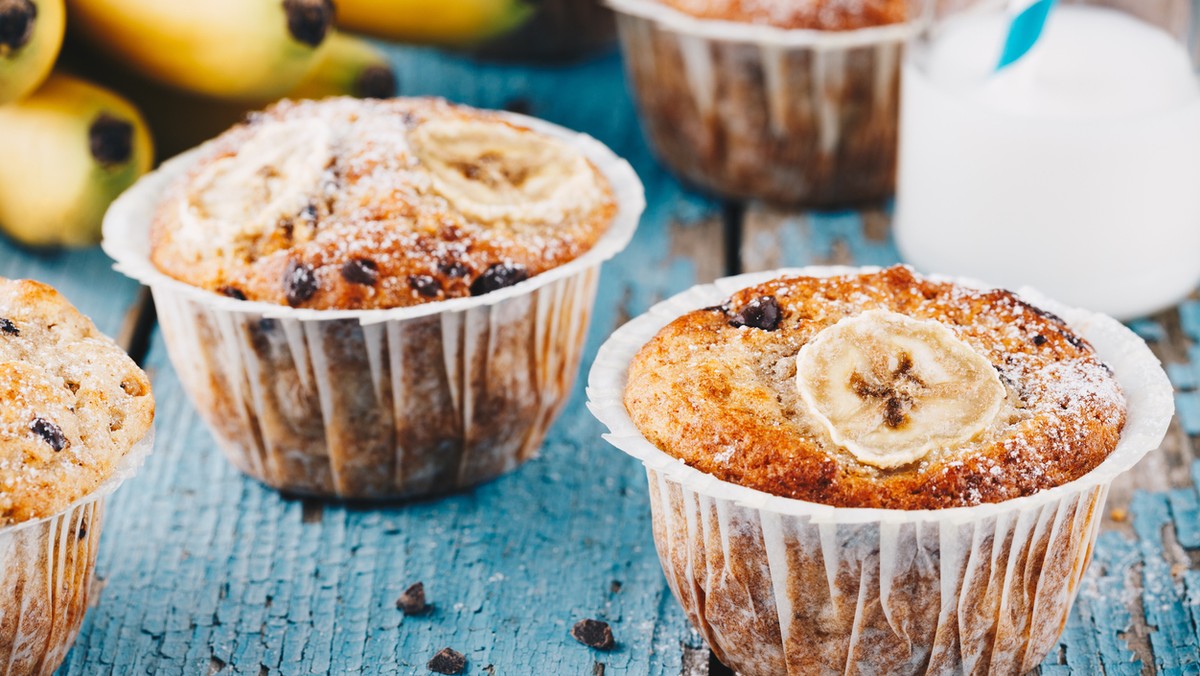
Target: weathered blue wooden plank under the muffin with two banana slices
[208,572]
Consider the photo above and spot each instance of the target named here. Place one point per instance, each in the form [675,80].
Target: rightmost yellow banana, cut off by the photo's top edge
[434,22]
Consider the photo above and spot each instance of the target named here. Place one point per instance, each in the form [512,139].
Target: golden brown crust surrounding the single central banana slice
[724,399]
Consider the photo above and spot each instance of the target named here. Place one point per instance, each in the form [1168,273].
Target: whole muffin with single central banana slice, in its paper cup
[871,471]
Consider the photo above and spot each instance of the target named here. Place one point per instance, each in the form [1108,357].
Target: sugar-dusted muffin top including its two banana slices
[349,204]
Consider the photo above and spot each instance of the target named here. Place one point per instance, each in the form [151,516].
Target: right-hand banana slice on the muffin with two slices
[491,171]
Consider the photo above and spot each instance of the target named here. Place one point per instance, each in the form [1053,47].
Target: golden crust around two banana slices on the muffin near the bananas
[374,234]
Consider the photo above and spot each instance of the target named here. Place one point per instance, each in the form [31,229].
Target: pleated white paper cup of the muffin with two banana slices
[379,404]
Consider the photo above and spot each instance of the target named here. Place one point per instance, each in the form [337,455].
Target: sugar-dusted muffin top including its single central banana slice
[881,391]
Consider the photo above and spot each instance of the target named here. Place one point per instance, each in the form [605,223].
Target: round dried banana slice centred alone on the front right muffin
[891,388]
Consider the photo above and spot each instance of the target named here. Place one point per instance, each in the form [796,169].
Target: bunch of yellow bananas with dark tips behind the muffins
[86,85]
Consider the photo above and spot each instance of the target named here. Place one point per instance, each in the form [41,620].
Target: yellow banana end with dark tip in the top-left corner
[31,38]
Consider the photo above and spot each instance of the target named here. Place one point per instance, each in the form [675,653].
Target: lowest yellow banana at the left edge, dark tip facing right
[70,149]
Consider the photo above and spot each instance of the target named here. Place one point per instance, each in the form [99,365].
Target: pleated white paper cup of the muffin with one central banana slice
[787,587]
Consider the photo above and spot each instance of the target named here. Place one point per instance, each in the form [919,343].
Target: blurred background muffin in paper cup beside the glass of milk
[791,103]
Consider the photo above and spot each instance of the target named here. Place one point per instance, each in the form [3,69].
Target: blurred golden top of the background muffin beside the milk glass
[814,15]
